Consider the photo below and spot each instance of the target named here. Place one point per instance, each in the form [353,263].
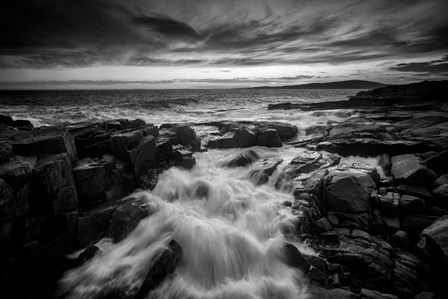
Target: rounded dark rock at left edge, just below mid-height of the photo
[18,170]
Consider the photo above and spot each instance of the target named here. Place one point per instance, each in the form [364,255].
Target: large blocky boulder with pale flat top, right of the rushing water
[349,190]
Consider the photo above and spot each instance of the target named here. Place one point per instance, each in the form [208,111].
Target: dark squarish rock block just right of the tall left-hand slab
[90,177]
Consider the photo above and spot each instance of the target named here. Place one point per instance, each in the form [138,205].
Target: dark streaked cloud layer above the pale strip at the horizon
[79,33]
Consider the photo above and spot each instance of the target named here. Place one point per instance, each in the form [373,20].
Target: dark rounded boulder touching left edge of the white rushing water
[125,218]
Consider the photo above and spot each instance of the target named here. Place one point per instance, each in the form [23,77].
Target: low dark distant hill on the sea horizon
[349,84]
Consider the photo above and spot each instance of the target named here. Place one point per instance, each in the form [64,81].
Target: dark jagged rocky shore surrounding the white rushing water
[377,234]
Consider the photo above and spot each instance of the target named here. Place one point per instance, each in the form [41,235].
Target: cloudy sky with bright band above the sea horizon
[117,44]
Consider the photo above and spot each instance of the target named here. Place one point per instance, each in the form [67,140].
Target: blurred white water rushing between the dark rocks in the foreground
[231,232]
